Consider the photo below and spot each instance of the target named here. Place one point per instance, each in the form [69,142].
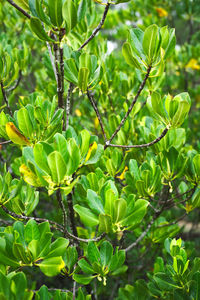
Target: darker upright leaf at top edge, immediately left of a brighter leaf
[55,12]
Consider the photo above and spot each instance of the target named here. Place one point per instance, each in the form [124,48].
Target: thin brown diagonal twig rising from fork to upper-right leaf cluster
[130,107]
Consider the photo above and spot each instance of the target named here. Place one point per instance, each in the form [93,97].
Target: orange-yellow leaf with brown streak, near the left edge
[15,136]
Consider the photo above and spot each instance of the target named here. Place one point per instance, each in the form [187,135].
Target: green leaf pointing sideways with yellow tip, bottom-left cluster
[51,266]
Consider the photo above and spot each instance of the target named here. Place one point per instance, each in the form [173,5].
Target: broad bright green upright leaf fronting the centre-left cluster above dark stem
[57,166]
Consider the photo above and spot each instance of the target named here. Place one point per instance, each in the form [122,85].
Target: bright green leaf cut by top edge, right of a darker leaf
[69,15]
